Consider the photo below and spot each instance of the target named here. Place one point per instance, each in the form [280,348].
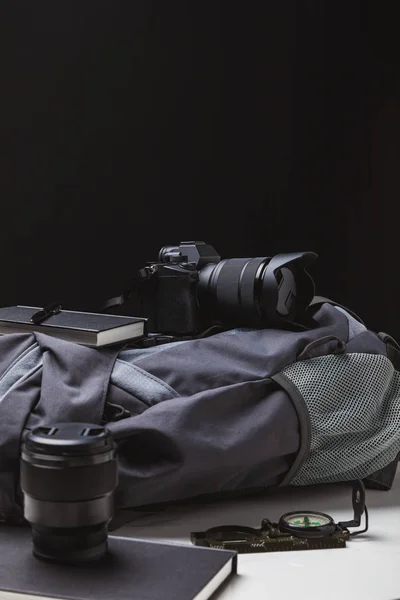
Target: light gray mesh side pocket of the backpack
[353,402]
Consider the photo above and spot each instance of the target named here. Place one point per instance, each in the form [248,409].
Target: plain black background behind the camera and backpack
[259,127]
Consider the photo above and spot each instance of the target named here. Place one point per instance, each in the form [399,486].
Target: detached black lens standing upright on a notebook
[68,476]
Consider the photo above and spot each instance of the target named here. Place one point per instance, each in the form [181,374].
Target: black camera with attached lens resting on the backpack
[190,289]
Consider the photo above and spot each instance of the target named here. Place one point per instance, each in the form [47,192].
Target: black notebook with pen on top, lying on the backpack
[89,329]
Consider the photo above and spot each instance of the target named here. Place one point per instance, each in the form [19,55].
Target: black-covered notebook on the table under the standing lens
[133,570]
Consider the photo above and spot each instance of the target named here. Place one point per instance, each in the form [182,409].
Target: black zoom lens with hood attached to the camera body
[252,291]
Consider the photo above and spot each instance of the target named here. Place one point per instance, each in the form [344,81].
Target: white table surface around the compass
[368,568]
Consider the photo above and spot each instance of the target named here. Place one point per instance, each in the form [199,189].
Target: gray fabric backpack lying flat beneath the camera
[238,411]
